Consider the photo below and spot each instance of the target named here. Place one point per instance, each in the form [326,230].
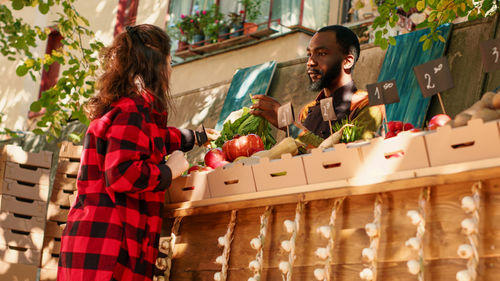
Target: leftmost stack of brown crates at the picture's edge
[24,190]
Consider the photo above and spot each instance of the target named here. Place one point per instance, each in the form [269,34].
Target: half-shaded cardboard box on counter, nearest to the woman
[192,187]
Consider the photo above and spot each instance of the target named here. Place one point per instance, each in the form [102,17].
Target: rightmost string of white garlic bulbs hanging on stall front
[470,227]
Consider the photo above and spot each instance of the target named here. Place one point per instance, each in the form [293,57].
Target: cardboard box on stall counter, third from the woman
[284,172]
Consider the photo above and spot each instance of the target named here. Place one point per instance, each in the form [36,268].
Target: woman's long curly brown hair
[137,55]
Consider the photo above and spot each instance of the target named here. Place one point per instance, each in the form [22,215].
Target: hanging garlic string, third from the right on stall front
[373,231]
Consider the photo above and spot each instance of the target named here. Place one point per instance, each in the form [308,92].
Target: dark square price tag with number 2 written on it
[434,77]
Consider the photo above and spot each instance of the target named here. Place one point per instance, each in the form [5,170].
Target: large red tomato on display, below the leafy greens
[242,146]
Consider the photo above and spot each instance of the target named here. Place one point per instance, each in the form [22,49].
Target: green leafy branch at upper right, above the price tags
[437,12]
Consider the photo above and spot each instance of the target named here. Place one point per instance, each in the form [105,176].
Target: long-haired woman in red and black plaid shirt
[113,227]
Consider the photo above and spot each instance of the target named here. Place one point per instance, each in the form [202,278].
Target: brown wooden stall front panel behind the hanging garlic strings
[441,241]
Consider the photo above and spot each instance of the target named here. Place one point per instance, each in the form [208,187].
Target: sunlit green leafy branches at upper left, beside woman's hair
[63,102]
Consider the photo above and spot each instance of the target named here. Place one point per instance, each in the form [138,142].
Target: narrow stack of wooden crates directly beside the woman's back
[62,196]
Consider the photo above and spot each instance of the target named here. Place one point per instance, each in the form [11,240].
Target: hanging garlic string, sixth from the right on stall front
[258,244]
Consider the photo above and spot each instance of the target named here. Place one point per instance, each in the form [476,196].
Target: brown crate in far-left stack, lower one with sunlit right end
[18,238]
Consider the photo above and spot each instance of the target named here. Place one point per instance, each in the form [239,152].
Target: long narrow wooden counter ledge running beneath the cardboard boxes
[466,171]
